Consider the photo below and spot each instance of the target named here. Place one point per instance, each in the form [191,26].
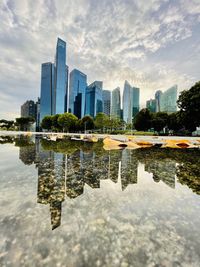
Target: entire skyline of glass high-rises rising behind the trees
[62,91]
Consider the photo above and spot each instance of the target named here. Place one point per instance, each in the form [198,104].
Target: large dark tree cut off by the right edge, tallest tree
[189,104]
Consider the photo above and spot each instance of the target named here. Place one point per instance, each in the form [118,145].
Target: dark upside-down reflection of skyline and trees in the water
[64,175]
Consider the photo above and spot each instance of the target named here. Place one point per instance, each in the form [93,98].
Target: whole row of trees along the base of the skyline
[183,121]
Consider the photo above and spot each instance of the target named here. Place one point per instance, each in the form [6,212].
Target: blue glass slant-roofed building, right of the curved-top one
[94,103]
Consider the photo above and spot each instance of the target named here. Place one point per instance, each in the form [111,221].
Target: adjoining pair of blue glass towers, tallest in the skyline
[54,83]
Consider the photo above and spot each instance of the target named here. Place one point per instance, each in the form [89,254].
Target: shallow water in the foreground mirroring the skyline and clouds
[75,204]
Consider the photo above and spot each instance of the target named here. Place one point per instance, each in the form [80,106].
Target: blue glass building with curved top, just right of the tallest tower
[77,92]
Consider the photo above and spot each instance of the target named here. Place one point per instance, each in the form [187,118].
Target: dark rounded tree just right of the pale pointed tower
[142,121]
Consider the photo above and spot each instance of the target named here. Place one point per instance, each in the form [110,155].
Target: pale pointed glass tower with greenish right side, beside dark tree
[131,97]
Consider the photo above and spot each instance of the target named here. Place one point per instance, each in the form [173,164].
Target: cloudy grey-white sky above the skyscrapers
[153,44]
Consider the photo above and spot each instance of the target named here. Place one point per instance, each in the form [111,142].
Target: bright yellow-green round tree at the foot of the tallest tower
[68,121]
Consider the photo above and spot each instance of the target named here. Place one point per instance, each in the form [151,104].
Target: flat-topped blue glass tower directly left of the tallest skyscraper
[47,90]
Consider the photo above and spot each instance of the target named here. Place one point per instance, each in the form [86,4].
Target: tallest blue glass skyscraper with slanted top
[61,79]
